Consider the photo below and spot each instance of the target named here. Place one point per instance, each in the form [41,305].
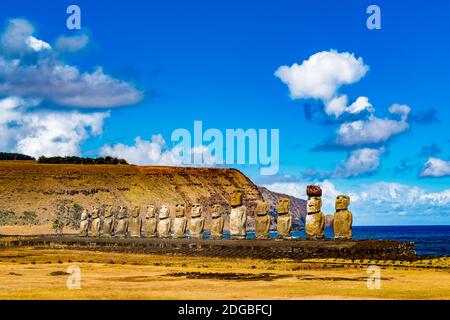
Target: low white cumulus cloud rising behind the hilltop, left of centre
[156,152]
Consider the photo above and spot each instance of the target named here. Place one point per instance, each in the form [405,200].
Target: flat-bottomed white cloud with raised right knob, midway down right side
[374,130]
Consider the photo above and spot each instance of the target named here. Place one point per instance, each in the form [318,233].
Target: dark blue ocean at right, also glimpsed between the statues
[428,240]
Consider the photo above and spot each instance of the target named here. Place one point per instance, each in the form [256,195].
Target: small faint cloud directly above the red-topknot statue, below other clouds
[361,161]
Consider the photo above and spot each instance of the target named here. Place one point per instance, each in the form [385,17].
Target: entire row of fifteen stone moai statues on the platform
[161,225]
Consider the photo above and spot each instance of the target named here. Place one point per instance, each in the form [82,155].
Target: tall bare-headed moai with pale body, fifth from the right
[238,216]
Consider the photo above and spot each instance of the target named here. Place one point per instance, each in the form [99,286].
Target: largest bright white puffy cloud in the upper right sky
[321,75]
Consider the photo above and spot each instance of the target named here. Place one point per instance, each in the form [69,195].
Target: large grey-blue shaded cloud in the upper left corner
[42,75]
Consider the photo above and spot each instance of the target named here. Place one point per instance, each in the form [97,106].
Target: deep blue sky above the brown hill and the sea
[174,62]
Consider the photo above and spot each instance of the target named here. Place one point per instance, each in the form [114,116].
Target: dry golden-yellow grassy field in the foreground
[27,273]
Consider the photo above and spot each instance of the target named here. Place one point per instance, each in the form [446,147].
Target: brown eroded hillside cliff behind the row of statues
[61,190]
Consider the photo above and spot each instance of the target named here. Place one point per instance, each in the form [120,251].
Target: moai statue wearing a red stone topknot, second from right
[315,218]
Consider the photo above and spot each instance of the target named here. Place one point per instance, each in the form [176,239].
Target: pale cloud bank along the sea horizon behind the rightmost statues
[377,202]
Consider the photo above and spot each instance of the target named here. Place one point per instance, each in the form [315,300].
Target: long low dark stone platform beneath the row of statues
[296,249]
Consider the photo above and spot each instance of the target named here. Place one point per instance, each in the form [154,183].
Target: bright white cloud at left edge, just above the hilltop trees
[49,133]
